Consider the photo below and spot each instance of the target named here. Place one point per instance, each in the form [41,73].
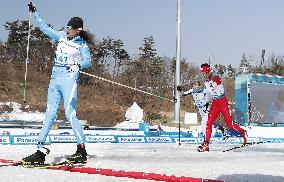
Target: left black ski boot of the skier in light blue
[37,158]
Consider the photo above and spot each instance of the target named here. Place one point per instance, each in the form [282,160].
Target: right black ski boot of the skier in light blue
[80,155]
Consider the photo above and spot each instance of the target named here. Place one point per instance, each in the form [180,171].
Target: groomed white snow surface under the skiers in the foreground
[258,163]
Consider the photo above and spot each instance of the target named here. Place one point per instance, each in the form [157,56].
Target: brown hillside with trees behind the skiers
[102,103]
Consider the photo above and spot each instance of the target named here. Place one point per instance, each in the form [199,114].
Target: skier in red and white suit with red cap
[219,104]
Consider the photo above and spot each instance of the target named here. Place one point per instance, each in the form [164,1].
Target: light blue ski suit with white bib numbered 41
[63,83]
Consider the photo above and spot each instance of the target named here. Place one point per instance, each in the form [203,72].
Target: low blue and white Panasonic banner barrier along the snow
[27,139]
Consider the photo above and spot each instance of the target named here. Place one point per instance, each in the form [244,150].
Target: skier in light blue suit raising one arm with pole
[72,54]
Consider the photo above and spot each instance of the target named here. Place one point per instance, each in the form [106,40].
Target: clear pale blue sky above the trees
[224,28]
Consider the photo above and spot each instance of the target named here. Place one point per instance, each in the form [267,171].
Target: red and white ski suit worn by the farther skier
[219,104]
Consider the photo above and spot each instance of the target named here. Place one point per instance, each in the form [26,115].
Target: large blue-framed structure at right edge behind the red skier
[255,97]
